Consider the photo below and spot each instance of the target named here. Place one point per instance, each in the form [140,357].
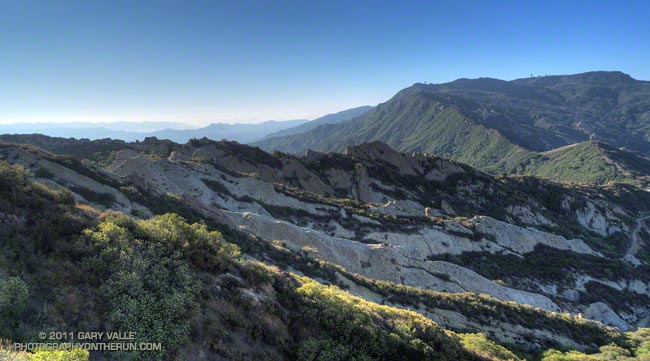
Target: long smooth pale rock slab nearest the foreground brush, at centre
[395,264]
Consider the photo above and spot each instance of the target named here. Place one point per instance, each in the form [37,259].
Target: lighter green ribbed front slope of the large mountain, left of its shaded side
[415,120]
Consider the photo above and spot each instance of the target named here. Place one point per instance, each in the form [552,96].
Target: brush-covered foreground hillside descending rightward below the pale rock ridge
[66,266]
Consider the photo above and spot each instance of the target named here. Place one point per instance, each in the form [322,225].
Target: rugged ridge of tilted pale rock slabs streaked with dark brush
[385,215]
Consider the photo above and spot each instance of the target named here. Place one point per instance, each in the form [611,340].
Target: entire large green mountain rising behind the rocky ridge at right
[506,126]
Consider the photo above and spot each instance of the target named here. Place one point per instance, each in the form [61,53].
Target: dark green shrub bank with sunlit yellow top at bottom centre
[339,326]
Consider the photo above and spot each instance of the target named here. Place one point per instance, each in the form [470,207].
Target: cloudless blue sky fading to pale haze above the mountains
[247,61]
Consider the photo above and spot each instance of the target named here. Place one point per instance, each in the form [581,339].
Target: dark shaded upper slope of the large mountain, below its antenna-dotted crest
[551,111]
